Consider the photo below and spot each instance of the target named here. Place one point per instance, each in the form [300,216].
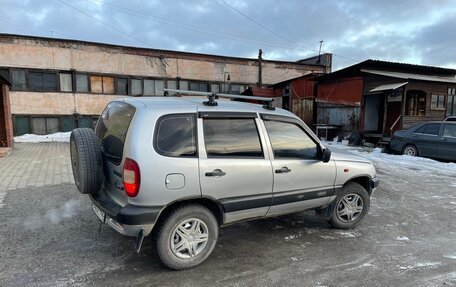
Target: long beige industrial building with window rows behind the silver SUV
[51,85]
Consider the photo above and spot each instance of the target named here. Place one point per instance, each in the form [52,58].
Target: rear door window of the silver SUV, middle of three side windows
[232,138]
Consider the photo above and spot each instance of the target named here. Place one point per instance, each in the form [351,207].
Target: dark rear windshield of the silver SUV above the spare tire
[112,128]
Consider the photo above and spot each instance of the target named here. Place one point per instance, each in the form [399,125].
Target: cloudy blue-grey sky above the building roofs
[409,31]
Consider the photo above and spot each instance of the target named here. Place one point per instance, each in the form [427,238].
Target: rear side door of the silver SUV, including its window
[234,169]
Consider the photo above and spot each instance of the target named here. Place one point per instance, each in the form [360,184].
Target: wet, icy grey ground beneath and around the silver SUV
[49,237]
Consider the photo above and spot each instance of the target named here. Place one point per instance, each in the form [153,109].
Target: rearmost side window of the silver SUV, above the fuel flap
[176,136]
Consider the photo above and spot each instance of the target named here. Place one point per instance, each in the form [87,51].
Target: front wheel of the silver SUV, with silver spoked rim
[353,197]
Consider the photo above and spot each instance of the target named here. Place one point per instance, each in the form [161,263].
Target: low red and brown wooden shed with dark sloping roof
[377,98]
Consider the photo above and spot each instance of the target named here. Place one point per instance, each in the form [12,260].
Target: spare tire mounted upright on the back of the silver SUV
[86,160]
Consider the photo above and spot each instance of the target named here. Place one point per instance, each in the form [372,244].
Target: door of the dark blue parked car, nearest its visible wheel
[426,139]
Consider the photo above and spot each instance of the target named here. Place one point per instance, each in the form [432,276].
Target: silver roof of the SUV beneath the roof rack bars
[197,102]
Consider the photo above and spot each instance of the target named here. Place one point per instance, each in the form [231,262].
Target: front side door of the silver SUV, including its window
[301,180]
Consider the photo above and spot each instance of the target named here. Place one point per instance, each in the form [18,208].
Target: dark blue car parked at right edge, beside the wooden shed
[431,139]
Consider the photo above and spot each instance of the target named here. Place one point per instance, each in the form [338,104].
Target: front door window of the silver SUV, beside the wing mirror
[290,141]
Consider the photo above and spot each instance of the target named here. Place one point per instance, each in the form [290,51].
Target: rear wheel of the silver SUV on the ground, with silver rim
[190,222]
